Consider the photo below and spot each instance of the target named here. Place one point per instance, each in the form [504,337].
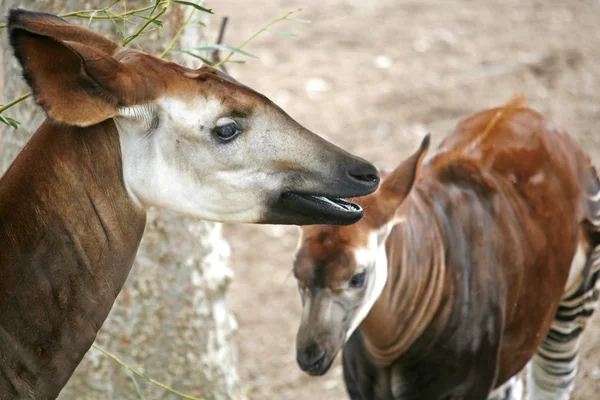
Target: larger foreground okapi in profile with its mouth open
[127,131]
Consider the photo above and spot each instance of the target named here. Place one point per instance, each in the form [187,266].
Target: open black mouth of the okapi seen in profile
[325,210]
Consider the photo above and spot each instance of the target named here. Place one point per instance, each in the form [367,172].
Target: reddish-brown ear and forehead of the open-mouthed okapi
[100,75]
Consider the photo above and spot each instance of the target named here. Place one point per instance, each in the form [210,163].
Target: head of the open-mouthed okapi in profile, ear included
[195,142]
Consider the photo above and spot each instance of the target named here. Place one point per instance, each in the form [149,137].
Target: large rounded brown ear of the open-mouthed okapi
[75,81]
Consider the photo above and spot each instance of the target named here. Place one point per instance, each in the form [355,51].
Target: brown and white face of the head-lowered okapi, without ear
[333,310]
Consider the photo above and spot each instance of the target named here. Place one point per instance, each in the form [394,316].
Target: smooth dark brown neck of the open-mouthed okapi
[69,233]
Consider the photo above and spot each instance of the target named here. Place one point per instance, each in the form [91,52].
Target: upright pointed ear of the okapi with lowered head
[397,185]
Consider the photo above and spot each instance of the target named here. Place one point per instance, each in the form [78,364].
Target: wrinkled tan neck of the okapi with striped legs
[414,289]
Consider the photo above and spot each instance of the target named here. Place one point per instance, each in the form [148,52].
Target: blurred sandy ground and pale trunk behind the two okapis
[371,76]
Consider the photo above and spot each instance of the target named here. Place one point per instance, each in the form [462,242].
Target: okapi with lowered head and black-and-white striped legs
[462,270]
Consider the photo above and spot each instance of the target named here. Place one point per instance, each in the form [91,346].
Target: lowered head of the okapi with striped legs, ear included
[341,271]
